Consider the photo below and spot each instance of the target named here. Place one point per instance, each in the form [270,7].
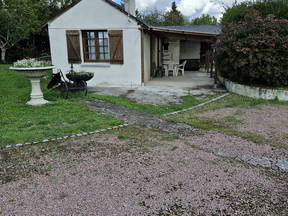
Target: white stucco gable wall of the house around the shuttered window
[98,15]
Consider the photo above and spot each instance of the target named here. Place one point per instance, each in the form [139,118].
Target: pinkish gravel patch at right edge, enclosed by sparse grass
[268,121]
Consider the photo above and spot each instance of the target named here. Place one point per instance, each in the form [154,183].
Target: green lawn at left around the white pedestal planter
[23,123]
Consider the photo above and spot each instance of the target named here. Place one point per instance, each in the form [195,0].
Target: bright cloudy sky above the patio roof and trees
[191,8]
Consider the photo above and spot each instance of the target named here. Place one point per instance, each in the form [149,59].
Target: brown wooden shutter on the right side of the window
[116,46]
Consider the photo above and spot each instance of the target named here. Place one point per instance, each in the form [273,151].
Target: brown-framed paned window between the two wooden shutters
[96,46]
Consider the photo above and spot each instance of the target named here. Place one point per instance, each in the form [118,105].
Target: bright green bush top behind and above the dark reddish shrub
[236,13]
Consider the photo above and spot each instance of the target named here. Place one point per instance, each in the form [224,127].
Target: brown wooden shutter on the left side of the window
[73,47]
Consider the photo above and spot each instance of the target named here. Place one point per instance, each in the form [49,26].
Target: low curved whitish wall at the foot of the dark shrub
[255,92]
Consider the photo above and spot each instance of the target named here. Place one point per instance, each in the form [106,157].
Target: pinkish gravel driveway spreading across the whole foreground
[174,177]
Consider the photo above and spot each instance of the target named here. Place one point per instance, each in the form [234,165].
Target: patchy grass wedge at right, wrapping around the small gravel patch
[227,124]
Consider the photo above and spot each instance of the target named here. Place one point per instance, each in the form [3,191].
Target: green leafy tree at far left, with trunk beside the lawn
[18,19]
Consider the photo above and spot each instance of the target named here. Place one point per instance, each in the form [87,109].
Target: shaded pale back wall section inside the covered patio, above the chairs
[190,50]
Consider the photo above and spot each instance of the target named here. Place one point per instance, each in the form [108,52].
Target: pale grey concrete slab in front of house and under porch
[163,91]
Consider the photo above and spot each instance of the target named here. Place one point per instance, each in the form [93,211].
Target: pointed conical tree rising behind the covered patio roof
[174,16]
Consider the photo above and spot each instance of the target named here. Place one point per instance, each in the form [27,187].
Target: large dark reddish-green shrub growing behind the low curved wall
[254,51]
